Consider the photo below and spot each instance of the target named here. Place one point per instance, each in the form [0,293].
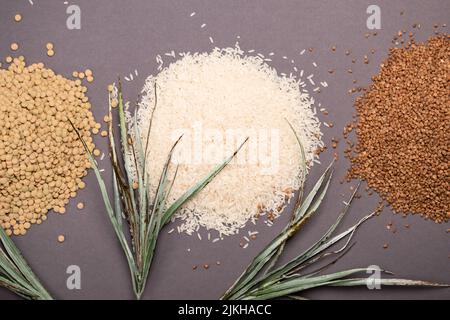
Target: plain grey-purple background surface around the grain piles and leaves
[120,36]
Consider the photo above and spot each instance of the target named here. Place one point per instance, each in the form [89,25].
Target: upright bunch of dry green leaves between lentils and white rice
[145,216]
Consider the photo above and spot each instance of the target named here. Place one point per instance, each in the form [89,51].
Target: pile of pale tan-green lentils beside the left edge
[42,162]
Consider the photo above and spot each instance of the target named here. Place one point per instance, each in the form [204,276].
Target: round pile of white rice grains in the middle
[215,100]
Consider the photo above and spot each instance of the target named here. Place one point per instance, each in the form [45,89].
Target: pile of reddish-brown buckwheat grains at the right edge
[403,130]
